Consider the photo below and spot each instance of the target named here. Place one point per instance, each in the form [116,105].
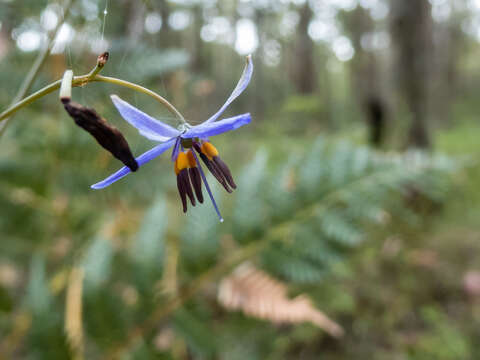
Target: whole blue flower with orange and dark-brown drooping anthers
[187,141]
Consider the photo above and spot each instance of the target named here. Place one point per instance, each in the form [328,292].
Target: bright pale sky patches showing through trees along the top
[243,35]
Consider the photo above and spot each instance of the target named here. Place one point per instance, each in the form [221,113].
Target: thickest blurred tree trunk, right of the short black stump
[411,28]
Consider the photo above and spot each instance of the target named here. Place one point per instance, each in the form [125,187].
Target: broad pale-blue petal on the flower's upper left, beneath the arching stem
[147,126]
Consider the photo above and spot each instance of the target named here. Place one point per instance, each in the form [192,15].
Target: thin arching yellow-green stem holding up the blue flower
[82,81]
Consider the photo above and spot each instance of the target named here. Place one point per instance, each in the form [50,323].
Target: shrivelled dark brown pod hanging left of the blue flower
[108,136]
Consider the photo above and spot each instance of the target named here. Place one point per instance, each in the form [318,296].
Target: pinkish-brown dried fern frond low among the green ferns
[259,295]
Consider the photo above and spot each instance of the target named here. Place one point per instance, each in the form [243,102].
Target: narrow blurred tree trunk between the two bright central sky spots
[304,75]
